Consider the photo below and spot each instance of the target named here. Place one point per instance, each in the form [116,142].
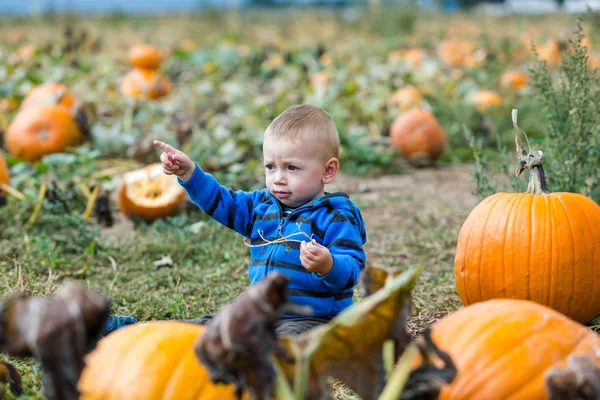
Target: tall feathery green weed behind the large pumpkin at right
[571,101]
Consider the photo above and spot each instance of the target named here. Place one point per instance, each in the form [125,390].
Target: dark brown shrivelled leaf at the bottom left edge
[58,332]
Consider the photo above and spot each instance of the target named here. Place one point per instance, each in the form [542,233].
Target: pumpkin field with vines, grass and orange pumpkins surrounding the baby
[471,144]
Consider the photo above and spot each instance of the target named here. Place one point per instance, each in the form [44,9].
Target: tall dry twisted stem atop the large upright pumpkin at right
[529,159]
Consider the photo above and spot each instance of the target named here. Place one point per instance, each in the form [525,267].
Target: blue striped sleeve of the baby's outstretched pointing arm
[231,208]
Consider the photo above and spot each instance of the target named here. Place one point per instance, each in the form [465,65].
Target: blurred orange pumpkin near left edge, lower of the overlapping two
[40,130]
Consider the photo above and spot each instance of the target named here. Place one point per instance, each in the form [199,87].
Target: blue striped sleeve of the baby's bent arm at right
[344,240]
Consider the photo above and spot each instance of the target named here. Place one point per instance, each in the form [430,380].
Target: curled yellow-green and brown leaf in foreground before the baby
[349,348]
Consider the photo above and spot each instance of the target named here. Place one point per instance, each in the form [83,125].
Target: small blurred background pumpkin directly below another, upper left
[145,83]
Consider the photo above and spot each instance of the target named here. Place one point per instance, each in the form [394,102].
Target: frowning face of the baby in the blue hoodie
[294,169]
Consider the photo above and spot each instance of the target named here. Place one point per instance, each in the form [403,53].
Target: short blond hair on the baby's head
[307,122]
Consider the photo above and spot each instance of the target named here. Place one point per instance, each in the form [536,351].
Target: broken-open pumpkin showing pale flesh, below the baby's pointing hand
[149,194]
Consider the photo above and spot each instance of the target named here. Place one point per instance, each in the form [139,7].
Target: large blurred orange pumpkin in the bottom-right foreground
[502,348]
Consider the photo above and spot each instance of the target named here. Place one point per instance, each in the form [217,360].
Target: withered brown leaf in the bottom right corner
[578,380]
